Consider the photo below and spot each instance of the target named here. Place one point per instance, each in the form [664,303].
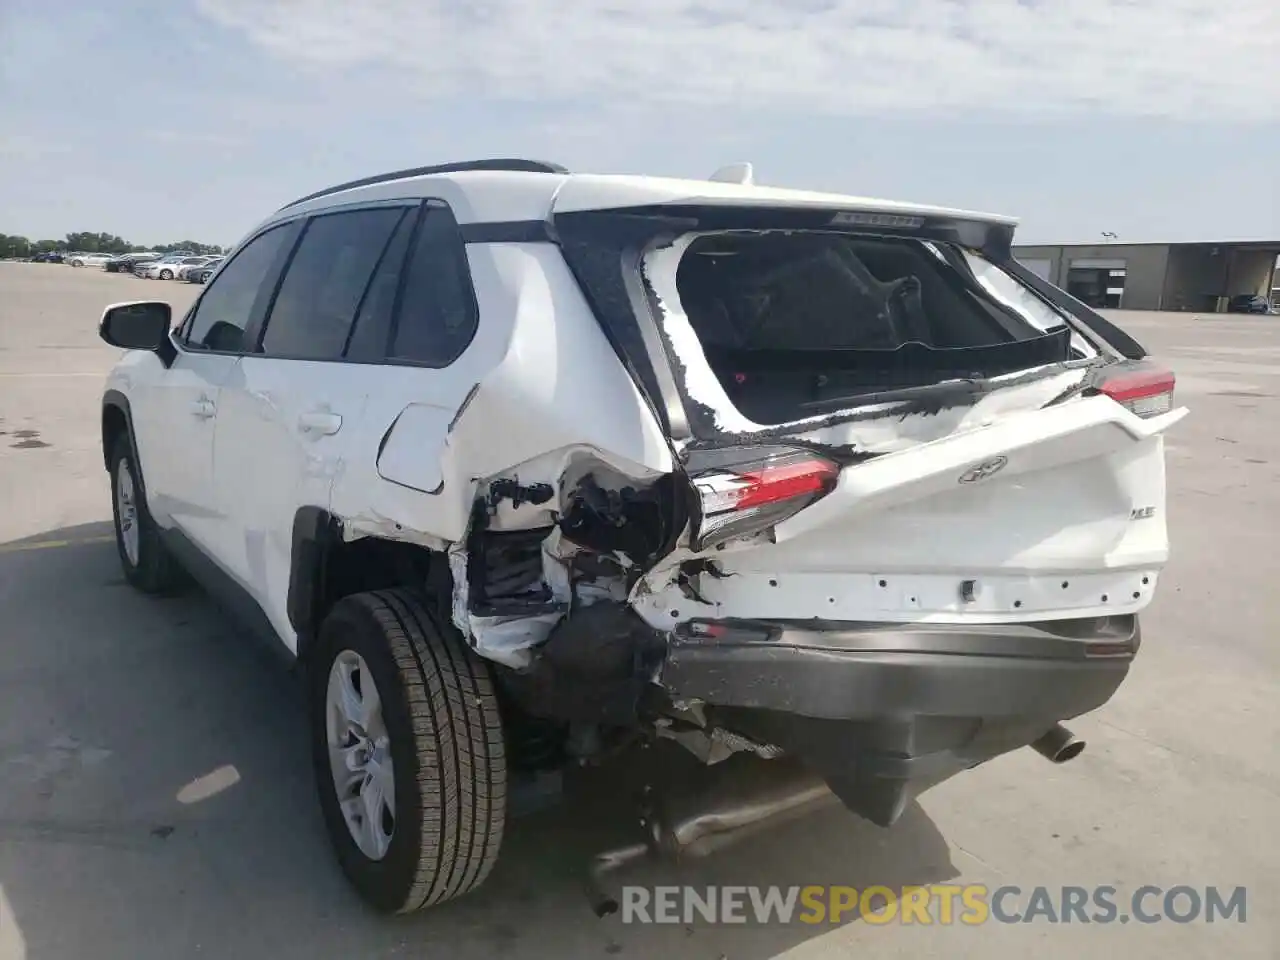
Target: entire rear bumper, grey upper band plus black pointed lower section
[885,711]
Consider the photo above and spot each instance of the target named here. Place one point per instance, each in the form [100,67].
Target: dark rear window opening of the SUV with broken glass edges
[796,323]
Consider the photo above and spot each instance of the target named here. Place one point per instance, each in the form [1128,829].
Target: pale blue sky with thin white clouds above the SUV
[194,120]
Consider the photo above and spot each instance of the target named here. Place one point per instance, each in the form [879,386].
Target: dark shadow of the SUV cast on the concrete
[157,799]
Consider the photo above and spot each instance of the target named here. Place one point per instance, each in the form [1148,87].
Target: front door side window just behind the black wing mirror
[227,305]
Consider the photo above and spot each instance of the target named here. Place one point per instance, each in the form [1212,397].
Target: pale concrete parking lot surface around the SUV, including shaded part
[156,794]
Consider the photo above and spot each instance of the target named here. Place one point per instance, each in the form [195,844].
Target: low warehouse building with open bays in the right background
[1200,277]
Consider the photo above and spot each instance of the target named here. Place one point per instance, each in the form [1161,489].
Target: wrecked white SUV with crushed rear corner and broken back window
[525,469]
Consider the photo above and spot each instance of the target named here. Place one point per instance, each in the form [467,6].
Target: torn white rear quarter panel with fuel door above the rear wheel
[540,401]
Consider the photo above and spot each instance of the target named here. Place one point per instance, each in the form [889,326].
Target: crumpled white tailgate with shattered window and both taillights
[898,429]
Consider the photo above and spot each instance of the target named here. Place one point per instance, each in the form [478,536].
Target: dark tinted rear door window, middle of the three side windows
[326,284]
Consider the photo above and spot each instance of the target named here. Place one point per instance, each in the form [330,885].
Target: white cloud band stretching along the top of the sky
[1188,60]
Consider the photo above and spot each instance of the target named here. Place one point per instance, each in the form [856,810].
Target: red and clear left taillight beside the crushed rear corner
[746,492]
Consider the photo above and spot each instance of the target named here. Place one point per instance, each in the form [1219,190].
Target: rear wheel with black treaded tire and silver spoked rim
[440,725]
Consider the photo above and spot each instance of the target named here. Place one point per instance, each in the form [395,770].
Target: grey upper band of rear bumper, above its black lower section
[853,671]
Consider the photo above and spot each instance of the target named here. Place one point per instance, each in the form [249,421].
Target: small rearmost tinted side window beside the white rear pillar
[437,316]
